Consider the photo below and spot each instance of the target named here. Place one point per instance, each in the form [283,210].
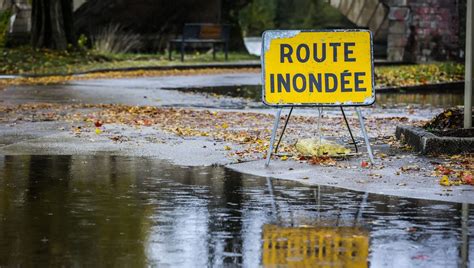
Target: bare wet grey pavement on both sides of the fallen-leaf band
[50,137]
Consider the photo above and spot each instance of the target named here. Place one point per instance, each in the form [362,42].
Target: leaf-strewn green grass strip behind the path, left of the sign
[25,60]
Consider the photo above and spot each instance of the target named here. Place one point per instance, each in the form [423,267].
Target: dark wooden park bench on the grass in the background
[202,33]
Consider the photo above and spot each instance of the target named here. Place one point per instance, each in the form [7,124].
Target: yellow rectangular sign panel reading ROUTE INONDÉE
[317,68]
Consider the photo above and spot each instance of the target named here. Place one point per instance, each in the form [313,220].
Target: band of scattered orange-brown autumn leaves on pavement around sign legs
[248,131]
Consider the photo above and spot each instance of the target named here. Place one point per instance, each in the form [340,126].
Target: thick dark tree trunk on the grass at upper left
[52,24]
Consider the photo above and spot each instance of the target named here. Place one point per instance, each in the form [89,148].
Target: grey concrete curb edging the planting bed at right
[428,143]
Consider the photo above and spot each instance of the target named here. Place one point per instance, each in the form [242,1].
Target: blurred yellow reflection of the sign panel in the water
[315,246]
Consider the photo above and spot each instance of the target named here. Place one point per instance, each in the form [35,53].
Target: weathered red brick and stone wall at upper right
[422,30]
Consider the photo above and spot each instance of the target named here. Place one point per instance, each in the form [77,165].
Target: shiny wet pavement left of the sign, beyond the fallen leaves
[137,91]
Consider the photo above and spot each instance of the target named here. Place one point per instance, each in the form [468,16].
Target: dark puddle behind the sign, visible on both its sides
[439,99]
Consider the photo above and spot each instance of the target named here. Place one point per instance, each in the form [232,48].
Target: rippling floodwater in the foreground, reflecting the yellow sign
[123,211]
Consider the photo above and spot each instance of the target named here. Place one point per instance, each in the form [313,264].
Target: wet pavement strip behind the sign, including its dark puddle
[233,91]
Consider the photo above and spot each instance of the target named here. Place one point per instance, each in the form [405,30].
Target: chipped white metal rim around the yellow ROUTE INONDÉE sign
[289,33]
